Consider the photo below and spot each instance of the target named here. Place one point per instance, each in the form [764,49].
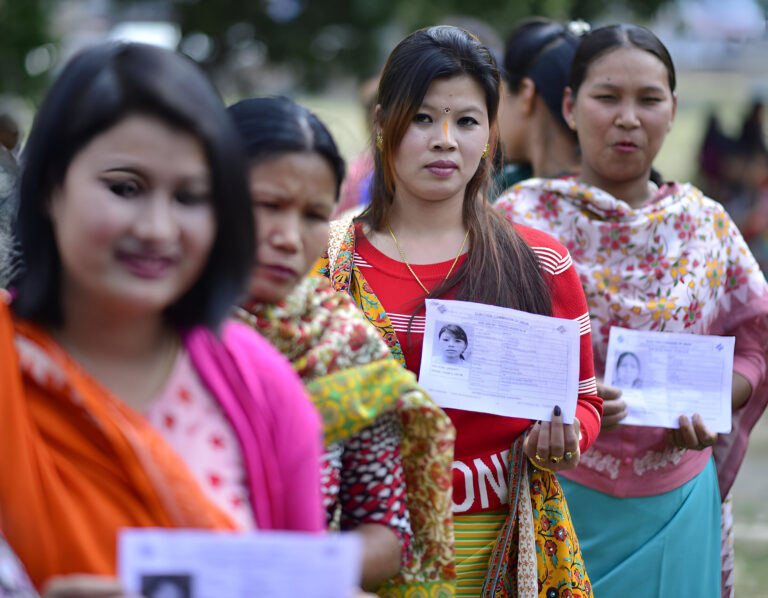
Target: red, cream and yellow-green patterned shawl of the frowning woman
[352,379]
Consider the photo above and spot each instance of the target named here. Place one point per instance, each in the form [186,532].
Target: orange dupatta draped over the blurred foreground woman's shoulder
[77,464]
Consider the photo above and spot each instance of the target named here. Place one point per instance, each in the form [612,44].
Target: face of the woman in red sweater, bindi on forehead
[442,147]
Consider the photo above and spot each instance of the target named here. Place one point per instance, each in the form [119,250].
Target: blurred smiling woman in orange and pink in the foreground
[126,402]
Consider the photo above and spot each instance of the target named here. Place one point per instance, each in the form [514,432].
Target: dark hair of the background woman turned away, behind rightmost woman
[542,50]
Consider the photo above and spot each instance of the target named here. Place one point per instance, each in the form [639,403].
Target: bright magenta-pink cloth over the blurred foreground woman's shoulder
[281,440]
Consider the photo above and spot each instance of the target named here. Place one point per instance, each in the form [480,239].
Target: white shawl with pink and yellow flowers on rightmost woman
[678,264]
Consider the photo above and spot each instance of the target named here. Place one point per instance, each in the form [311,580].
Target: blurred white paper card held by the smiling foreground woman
[205,564]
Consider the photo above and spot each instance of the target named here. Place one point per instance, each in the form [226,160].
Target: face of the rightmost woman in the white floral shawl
[623,111]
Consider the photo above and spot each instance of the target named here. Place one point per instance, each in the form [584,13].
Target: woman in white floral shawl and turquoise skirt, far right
[650,258]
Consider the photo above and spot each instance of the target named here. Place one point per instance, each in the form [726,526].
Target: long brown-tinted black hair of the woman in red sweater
[501,268]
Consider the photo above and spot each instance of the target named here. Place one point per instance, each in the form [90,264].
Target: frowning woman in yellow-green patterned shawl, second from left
[386,472]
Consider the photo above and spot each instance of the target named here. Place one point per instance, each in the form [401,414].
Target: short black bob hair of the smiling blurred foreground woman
[96,90]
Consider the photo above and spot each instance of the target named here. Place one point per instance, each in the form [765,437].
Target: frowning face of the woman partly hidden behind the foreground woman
[293,197]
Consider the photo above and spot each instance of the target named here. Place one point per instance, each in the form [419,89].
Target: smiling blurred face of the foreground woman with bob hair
[133,218]
